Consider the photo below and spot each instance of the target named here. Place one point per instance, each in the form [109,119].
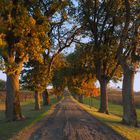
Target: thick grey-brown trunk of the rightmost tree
[129,111]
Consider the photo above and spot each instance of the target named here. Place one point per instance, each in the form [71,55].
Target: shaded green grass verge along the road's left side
[9,129]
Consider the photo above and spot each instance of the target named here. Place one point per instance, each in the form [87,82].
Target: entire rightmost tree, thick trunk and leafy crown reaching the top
[128,56]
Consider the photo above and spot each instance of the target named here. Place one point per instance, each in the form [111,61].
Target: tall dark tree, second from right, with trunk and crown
[98,21]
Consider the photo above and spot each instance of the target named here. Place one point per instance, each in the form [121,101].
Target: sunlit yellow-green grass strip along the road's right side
[114,119]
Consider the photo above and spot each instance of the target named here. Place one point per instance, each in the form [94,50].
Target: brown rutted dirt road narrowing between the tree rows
[69,122]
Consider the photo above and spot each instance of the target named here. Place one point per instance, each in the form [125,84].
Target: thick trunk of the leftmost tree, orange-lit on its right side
[13,108]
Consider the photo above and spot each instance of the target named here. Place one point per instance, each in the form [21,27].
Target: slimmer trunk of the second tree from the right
[104,97]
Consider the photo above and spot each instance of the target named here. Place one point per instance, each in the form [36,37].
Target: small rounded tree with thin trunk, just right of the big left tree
[35,77]
